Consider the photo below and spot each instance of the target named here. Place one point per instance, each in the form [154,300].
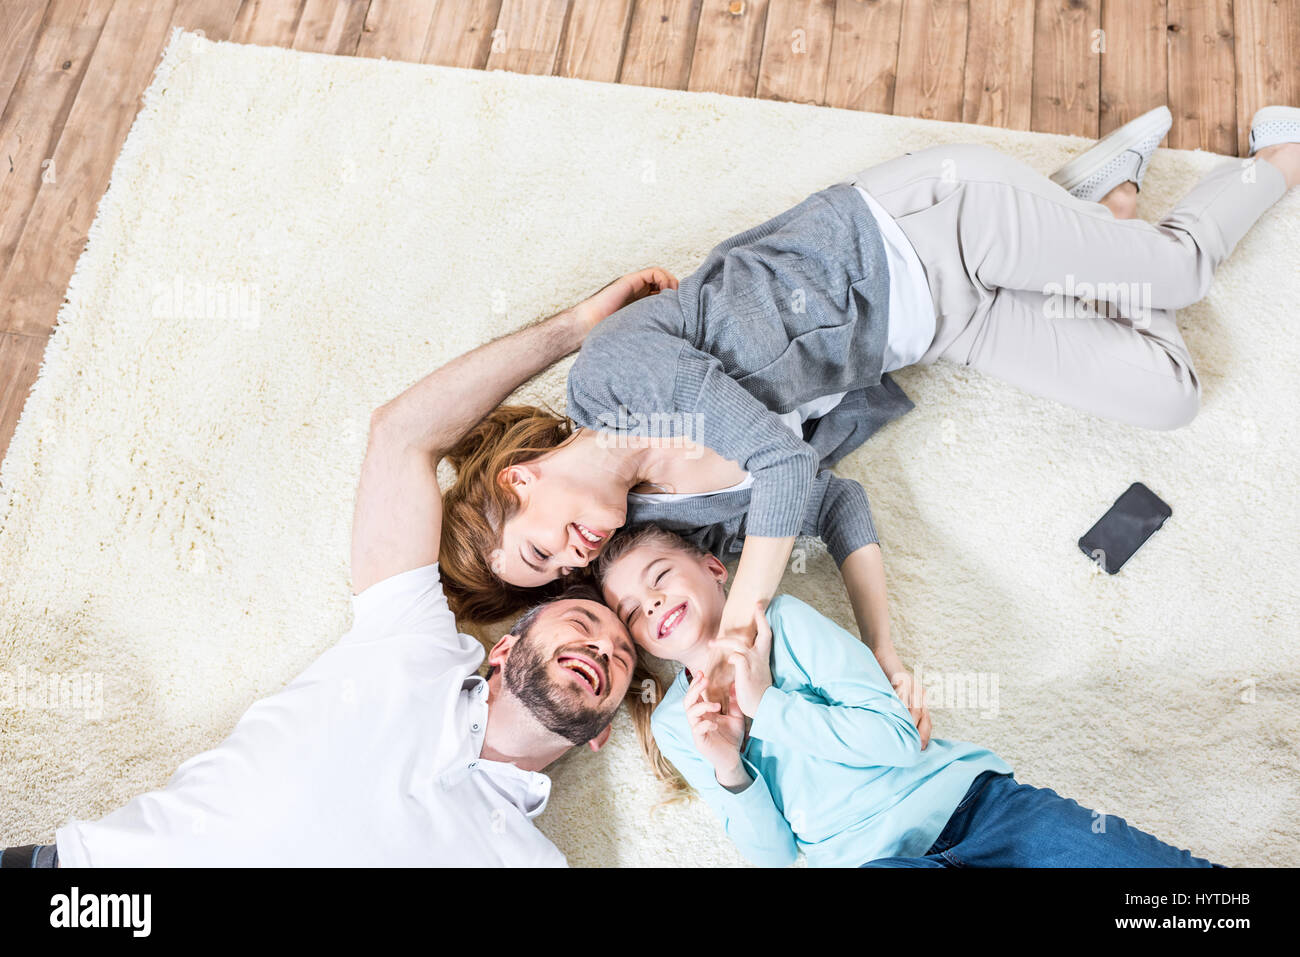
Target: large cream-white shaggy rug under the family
[291,240]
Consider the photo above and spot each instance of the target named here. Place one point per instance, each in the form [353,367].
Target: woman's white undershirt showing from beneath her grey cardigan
[911,334]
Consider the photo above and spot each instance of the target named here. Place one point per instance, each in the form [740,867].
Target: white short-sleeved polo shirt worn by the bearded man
[371,757]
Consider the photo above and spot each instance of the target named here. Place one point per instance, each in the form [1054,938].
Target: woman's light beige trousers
[1055,295]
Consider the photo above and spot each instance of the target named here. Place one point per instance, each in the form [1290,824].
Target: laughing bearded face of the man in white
[573,669]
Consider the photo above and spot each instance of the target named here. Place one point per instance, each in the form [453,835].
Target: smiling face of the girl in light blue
[671,601]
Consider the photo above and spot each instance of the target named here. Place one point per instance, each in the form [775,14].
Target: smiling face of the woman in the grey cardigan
[562,523]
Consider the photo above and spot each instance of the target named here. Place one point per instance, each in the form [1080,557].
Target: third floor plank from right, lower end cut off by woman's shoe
[1134,62]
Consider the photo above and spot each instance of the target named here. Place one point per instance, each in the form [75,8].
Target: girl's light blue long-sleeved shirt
[837,763]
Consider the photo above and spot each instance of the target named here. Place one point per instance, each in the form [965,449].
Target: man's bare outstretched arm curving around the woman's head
[398,518]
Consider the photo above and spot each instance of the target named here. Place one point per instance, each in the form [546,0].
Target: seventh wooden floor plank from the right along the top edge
[865,55]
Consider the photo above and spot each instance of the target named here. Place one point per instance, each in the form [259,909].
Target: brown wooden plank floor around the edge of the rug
[72,73]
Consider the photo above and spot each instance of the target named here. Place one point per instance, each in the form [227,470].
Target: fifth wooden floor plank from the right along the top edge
[1000,64]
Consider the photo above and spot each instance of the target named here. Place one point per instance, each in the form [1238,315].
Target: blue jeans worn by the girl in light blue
[1002,824]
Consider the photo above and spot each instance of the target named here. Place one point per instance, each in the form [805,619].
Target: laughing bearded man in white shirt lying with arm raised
[391,750]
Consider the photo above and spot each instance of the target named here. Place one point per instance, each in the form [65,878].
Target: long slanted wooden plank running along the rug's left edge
[107,102]
